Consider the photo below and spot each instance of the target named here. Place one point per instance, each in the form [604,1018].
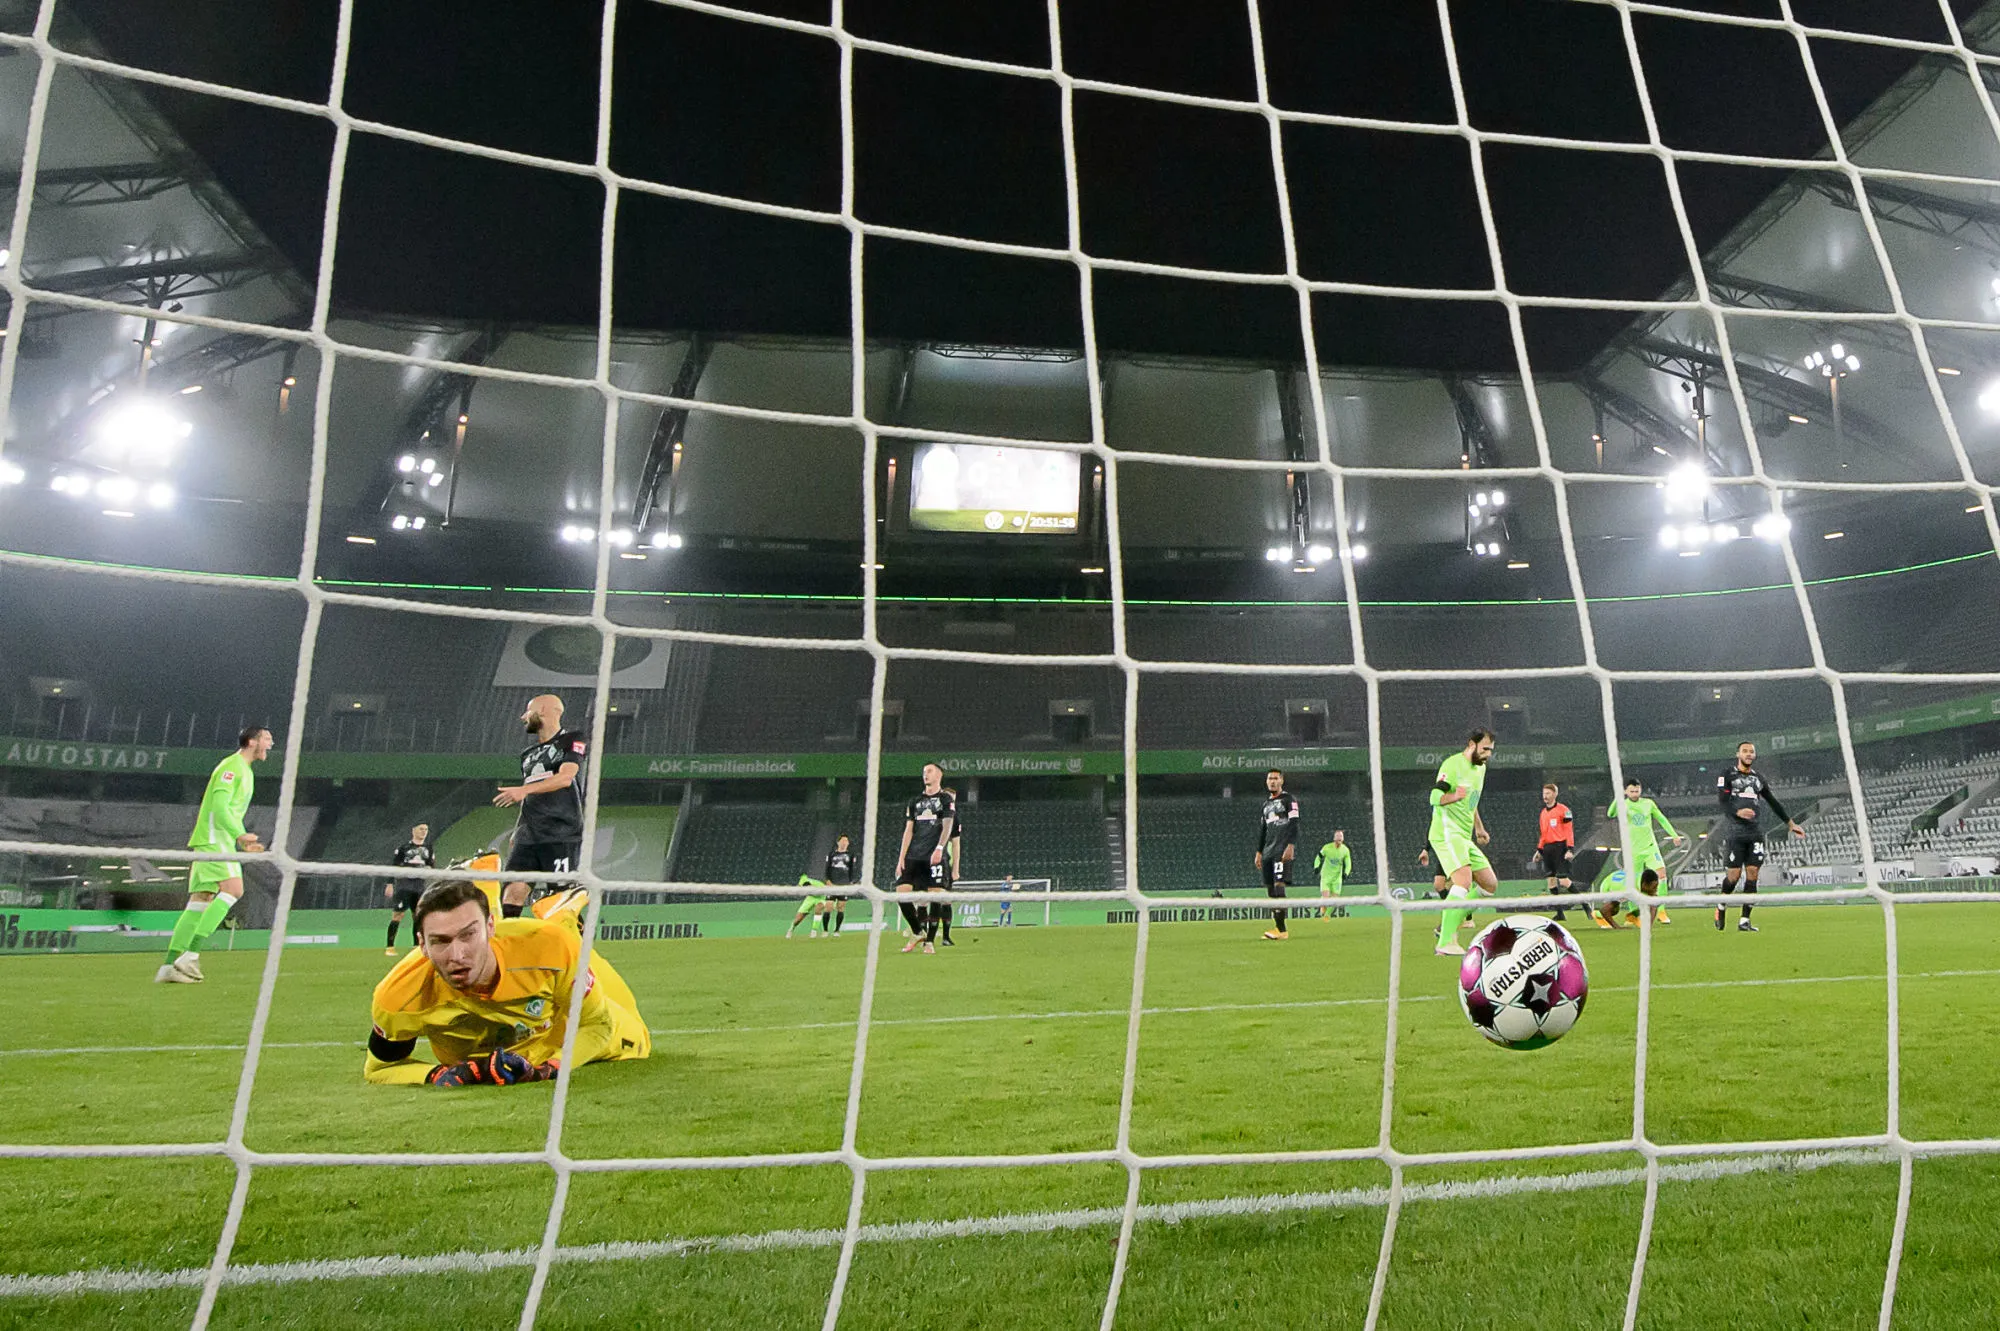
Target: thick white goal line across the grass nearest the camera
[919,1232]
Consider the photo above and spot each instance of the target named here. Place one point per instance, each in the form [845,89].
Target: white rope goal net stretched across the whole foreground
[1763,493]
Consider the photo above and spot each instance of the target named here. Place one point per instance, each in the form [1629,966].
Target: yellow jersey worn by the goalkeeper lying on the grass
[527,1012]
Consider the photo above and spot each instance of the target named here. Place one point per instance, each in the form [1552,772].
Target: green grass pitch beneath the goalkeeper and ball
[1013,1042]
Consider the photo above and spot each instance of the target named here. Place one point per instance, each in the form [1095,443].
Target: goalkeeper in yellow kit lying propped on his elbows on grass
[495,998]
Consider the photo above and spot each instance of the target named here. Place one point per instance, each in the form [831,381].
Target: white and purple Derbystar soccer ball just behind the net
[1523,982]
